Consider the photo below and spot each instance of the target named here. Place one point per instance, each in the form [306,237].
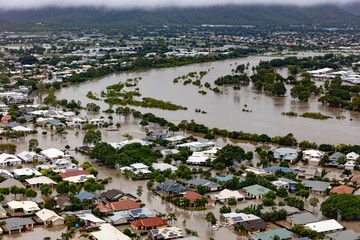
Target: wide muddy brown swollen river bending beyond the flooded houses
[225,110]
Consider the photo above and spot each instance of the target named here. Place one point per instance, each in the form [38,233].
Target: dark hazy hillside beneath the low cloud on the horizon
[229,14]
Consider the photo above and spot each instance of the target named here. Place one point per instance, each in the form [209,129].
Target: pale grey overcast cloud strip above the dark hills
[123,4]
